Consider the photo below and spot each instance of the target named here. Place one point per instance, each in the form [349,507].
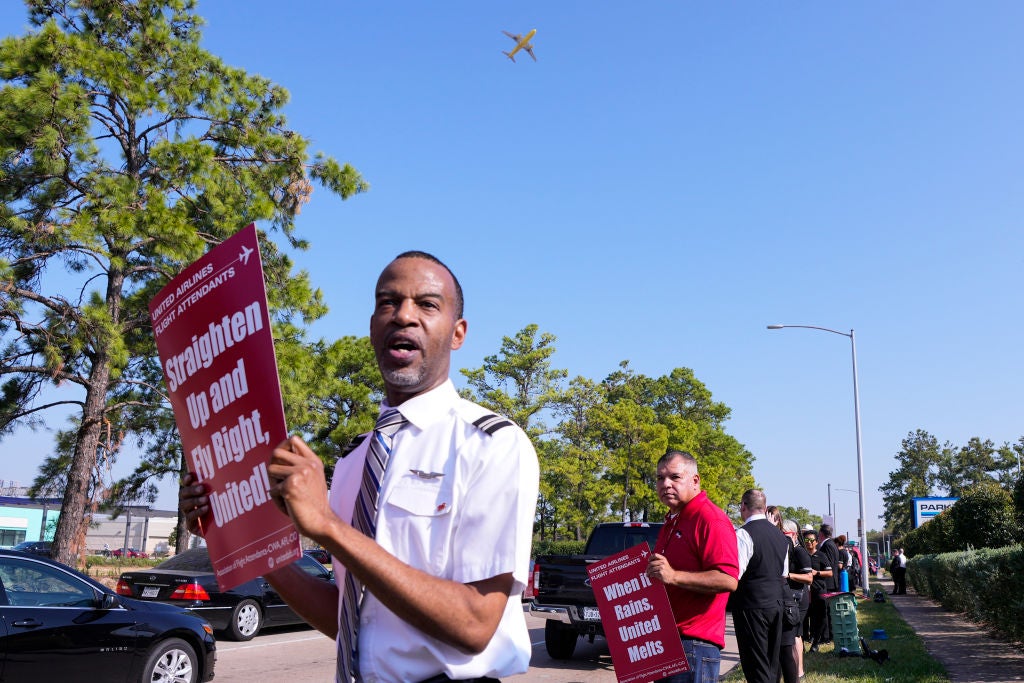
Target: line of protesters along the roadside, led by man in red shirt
[770,574]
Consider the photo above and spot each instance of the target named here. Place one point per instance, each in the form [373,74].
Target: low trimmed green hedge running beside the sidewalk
[988,585]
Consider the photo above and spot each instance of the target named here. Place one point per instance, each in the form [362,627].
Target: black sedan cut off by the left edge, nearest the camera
[59,625]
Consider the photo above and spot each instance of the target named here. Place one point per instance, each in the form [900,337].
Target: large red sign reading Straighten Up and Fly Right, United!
[217,351]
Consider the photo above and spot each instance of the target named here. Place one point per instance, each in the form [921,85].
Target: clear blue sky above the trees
[670,179]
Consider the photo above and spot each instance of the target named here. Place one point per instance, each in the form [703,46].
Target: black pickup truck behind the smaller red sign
[564,595]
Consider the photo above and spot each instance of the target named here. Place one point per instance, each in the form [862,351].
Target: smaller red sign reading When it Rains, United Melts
[637,618]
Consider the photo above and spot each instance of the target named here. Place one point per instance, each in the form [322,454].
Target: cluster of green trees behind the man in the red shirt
[599,461]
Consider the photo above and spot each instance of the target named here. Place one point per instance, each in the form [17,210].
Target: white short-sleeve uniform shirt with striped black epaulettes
[458,501]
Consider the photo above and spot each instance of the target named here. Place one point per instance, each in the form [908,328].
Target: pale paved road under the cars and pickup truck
[304,656]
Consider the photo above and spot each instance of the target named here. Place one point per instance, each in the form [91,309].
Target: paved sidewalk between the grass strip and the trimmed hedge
[967,652]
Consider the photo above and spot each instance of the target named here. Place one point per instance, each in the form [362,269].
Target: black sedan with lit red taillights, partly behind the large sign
[188,581]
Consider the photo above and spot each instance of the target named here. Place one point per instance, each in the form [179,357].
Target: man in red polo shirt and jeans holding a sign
[697,560]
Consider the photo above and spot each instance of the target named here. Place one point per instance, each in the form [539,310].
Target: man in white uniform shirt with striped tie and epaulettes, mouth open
[454,523]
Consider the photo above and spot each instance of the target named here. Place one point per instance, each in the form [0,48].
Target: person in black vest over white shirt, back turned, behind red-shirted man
[757,603]
